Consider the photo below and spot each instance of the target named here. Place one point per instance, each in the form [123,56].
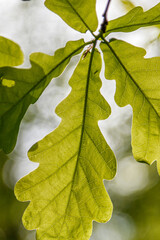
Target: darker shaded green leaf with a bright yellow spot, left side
[21,87]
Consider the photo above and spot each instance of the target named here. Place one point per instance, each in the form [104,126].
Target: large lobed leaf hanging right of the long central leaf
[138,84]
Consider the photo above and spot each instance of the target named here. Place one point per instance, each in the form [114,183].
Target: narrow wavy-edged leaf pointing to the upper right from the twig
[134,20]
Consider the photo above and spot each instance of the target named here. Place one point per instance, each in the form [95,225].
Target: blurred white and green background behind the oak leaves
[135,191]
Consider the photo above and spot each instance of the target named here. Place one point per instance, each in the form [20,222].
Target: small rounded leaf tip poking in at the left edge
[10,53]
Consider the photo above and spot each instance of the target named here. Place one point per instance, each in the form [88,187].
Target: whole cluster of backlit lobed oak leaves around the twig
[66,190]
